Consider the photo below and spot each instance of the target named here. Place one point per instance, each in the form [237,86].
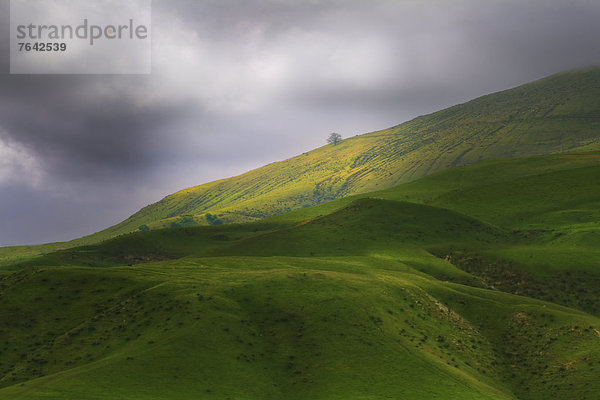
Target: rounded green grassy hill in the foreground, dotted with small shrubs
[299,327]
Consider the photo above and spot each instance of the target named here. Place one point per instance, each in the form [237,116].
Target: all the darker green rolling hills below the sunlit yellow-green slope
[403,293]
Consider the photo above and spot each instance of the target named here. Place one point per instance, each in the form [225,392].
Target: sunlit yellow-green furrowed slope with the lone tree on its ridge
[558,113]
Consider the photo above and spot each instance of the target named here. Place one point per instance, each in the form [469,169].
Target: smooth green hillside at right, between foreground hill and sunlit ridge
[547,204]
